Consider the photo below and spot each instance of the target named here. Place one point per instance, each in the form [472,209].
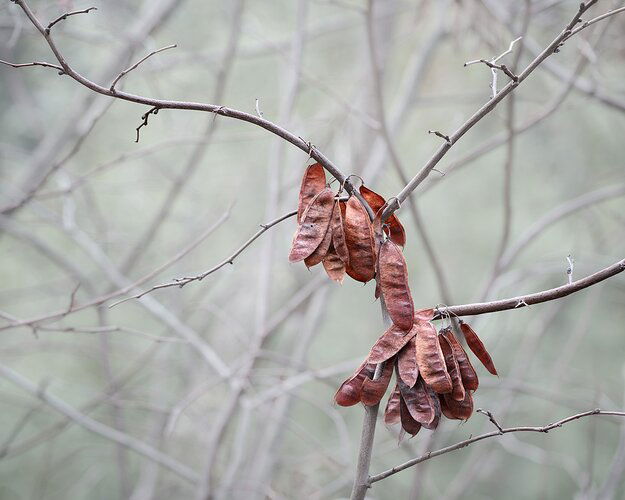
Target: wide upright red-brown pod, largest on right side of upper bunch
[360,242]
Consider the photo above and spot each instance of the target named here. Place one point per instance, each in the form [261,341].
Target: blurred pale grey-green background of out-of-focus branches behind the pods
[224,387]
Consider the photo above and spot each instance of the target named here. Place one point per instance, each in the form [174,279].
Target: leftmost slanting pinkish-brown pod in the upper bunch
[313,227]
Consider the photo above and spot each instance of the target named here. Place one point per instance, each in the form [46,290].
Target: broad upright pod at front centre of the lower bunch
[430,358]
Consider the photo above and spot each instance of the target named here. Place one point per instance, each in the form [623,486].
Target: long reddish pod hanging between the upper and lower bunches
[394,285]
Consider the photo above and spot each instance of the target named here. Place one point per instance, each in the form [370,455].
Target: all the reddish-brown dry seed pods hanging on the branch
[434,375]
